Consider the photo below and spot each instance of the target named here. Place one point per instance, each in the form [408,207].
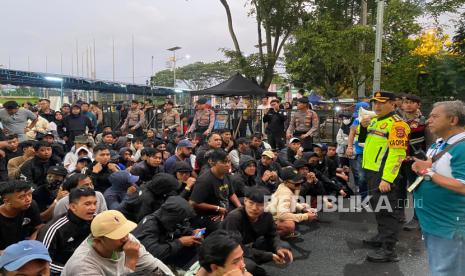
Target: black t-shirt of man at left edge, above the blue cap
[13,230]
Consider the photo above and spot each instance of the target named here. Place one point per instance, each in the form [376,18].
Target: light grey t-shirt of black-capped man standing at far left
[16,123]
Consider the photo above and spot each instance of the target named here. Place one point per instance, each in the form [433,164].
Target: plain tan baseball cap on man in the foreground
[111,224]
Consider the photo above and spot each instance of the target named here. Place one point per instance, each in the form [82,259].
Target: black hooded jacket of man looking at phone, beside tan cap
[159,232]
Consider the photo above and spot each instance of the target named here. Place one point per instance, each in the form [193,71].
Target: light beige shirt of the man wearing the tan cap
[86,261]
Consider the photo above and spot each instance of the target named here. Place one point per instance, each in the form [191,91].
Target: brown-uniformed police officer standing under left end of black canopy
[204,119]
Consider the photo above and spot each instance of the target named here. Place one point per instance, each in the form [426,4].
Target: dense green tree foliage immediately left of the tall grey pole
[324,53]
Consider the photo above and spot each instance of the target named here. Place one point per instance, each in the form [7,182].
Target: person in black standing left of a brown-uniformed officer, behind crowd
[275,119]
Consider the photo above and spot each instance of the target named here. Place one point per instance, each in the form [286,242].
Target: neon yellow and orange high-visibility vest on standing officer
[386,146]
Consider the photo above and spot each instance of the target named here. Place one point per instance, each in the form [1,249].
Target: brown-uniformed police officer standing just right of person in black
[303,124]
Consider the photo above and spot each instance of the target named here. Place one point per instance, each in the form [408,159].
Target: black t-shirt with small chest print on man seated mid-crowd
[209,189]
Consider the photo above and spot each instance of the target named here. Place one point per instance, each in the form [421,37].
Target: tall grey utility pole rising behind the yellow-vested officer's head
[378,46]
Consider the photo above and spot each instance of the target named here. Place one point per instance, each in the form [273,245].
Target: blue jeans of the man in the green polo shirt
[446,257]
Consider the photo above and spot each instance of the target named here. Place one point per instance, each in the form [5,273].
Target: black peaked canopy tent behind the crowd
[236,85]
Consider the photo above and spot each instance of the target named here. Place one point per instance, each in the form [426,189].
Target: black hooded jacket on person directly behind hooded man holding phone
[155,193]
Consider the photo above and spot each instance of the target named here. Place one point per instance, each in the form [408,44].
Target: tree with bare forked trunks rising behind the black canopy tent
[276,20]
